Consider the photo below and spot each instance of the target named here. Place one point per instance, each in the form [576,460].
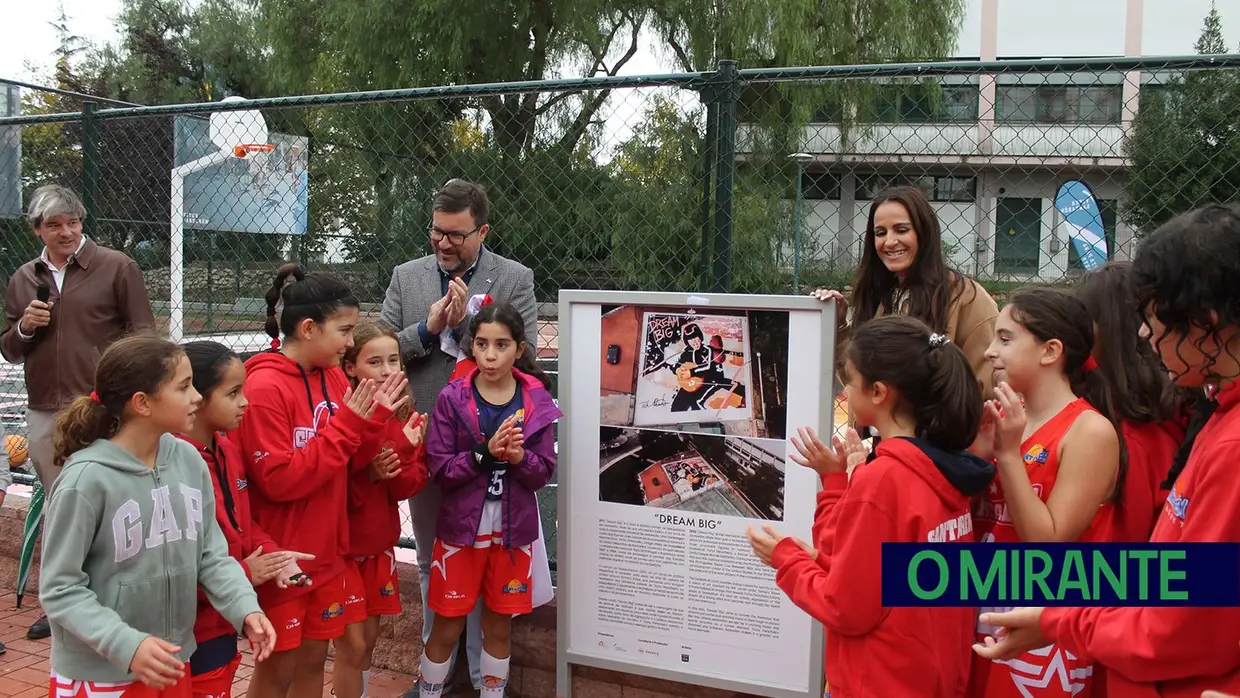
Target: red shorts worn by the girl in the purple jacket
[459,575]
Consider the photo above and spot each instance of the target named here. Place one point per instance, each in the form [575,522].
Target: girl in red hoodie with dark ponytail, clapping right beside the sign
[919,391]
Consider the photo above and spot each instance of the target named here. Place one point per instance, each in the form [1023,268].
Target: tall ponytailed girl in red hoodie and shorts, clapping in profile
[299,435]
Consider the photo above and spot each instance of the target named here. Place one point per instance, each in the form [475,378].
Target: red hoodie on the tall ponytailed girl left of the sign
[299,440]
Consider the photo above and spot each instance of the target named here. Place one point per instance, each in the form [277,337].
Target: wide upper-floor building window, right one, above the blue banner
[1060,105]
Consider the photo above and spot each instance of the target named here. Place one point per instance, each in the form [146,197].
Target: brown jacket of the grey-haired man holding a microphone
[104,299]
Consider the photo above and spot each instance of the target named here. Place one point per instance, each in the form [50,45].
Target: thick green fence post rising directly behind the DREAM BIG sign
[725,173]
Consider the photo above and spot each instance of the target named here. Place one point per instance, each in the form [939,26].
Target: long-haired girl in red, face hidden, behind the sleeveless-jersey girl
[1153,411]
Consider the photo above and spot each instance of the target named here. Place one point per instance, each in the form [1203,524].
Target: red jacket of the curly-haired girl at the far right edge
[1174,653]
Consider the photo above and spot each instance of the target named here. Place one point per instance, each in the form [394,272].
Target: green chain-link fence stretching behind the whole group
[747,182]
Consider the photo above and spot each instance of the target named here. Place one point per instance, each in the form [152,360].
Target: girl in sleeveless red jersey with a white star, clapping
[1060,458]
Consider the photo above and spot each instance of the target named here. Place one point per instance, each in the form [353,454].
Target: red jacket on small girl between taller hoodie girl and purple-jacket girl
[374,508]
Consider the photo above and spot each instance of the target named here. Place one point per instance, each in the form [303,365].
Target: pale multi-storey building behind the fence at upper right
[990,151]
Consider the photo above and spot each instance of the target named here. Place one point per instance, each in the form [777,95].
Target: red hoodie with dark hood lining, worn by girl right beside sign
[910,493]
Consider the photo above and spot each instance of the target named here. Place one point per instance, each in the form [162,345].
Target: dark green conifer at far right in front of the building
[1185,147]
